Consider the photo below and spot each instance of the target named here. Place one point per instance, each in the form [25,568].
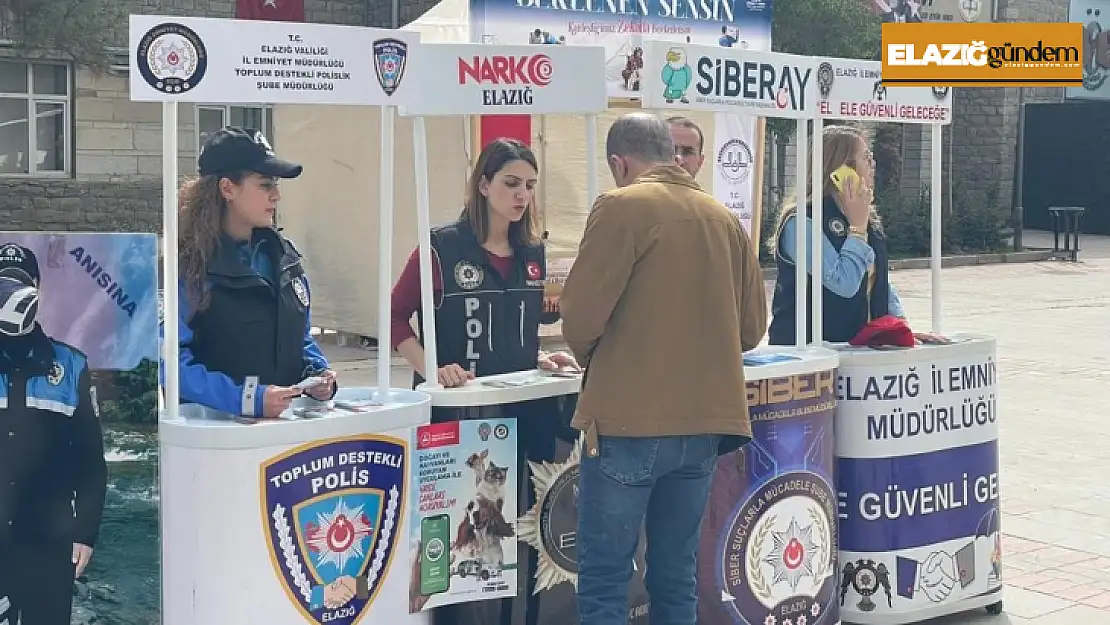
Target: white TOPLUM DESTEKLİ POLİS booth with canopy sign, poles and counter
[302,518]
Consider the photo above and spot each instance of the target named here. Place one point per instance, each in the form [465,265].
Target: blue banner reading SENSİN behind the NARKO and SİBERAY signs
[623,29]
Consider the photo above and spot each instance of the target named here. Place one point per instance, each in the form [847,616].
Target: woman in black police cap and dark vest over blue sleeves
[245,326]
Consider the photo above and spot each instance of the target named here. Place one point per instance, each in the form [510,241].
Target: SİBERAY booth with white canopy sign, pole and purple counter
[770,538]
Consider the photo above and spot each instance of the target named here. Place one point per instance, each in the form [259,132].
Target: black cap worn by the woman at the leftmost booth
[235,149]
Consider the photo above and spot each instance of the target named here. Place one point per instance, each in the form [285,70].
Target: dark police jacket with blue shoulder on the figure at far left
[53,473]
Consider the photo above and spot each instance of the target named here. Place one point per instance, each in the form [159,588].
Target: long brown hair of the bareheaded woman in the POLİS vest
[495,157]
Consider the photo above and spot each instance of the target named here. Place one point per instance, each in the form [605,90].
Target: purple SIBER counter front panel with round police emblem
[769,540]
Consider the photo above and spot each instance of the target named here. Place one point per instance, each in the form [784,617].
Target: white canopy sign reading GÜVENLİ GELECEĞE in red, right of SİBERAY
[853,90]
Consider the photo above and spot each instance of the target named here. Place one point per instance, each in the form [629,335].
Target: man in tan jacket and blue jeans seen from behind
[665,296]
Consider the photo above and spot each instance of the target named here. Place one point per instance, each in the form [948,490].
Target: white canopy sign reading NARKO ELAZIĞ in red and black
[488,79]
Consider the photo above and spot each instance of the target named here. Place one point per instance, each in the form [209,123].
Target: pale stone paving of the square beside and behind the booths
[1053,325]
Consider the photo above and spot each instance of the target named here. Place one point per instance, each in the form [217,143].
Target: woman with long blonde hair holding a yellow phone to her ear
[854,251]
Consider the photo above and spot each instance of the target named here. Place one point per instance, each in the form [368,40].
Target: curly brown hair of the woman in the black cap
[201,214]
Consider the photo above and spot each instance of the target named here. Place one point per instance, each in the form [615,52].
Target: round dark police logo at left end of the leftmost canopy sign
[171,58]
